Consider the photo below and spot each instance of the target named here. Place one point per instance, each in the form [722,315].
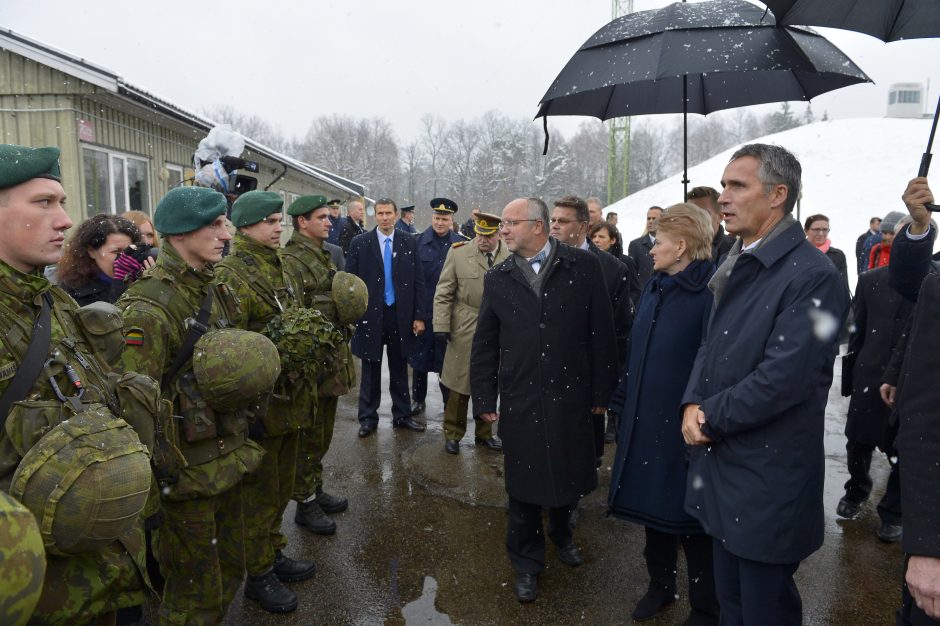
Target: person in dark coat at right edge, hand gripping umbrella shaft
[914,274]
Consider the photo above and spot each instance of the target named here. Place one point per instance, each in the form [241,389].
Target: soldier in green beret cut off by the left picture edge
[92,585]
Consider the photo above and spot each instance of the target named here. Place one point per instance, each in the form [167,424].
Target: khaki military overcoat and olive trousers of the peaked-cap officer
[457,301]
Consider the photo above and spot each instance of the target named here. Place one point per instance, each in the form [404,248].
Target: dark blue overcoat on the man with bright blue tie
[365,261]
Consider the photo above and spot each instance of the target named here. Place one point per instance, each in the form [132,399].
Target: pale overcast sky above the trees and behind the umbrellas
[290,60]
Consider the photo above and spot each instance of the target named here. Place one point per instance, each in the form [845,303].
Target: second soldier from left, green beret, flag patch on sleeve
[200,544]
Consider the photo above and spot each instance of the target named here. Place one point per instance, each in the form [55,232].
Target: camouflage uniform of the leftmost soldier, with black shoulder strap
[76,588]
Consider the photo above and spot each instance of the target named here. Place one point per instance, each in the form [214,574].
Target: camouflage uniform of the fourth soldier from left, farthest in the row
[309,266]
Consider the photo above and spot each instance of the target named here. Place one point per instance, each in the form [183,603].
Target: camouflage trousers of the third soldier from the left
[267,491]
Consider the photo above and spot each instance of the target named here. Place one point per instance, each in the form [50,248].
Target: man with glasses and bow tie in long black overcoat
[543,348]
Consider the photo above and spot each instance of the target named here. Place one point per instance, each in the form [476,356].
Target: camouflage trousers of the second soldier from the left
[201,549]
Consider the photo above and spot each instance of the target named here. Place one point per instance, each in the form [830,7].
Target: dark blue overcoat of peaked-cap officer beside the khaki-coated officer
[432,251]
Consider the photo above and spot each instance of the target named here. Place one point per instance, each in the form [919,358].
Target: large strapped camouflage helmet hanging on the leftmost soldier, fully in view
[86,481]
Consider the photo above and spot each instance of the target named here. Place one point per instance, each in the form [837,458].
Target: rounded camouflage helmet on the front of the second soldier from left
[234,366]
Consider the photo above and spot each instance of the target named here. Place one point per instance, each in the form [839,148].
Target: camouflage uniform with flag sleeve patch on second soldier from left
[200,544]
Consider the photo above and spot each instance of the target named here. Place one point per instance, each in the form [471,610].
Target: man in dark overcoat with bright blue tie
[386,259]
